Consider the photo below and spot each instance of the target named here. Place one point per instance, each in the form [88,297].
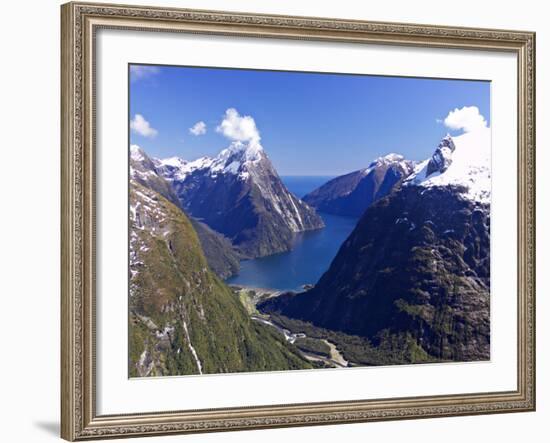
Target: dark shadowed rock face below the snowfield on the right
[416,268]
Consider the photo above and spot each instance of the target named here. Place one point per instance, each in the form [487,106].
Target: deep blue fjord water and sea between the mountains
[311,255]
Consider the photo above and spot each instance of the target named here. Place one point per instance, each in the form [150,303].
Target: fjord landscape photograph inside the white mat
[288,220]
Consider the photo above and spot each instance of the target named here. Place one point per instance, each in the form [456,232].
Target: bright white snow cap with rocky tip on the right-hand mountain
[462,162]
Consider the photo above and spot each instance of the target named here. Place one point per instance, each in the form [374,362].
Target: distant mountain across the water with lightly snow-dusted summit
[352,193]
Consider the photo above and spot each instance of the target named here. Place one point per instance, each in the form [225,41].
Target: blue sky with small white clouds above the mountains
[309,123]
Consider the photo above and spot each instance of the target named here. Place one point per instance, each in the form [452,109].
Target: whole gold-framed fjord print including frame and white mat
[282,221]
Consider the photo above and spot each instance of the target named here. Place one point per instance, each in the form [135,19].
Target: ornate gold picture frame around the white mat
[79,420]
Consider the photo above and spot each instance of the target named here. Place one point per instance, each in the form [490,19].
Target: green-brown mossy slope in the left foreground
[183,319]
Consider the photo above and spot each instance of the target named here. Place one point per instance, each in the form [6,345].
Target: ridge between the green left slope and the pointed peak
[221,257]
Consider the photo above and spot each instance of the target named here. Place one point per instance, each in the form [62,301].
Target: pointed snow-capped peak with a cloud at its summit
[240,194]
